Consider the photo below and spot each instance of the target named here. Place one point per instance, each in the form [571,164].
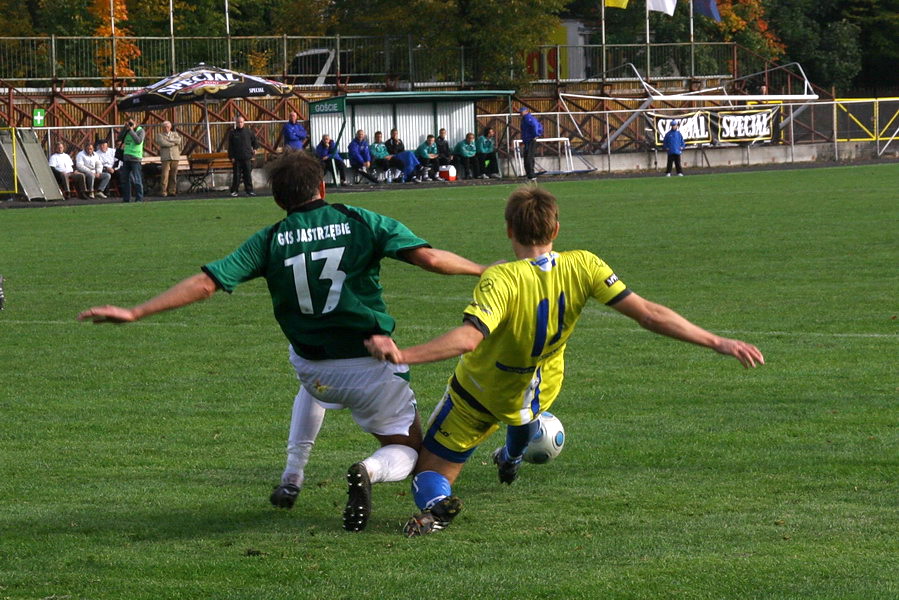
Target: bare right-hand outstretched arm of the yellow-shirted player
[661,319]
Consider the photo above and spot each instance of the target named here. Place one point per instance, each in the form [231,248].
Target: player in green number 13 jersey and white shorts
[322,263]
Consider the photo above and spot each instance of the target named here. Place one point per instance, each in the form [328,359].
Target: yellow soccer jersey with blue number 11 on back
[527,309]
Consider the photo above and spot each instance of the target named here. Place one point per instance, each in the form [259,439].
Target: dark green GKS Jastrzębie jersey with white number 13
[322,265]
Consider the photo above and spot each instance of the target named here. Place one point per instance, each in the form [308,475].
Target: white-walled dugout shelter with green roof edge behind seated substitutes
[414,114]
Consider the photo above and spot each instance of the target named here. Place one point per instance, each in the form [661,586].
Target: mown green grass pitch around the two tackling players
[136,461]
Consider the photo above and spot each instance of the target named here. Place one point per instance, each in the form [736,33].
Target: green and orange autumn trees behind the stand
[839,42]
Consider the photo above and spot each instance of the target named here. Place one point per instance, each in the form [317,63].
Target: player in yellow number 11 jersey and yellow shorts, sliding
[512,343]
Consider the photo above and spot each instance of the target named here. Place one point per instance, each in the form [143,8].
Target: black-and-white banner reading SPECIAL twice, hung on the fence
[705,127]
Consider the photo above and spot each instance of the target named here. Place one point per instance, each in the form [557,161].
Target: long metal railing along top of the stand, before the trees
[335,60]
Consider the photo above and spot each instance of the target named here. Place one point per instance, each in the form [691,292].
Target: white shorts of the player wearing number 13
[378,397]
